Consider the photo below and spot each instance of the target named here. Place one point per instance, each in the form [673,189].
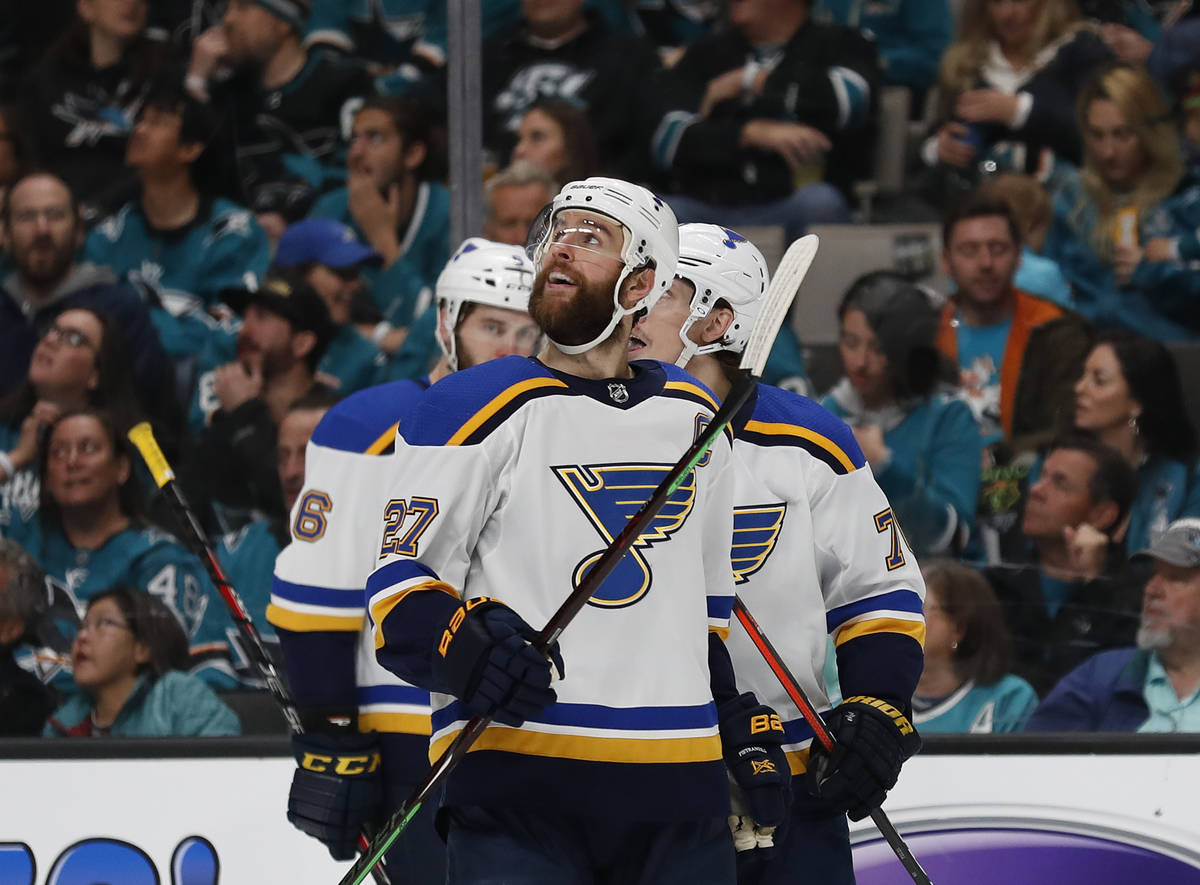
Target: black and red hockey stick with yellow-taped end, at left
[142,437]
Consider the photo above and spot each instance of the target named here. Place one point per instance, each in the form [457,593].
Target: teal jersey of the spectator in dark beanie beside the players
[933,480]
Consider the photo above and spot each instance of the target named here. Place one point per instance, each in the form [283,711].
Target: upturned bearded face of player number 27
[572,300]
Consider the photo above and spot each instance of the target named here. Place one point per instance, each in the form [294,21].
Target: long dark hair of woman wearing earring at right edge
[1154,381]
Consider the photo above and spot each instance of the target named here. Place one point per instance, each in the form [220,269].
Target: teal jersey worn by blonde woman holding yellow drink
[1161,299]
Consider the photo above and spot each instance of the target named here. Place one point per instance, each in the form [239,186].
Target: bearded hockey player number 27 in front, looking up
[616,774]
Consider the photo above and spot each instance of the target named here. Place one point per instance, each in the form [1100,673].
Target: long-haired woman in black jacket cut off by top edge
[1007,88]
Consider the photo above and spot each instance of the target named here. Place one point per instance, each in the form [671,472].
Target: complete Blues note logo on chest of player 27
[610,496]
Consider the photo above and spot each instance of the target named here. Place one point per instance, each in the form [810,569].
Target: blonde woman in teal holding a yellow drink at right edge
[1132,188]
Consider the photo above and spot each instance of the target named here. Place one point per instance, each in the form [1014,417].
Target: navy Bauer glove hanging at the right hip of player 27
[752,740]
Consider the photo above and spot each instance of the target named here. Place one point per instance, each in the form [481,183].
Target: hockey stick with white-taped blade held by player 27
[777,304]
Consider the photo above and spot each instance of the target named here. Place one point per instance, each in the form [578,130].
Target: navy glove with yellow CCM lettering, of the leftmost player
[337,790]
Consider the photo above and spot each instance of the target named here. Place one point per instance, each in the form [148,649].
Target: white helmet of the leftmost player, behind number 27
[483,273]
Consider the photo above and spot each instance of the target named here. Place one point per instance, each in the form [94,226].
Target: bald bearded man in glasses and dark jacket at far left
[41,227]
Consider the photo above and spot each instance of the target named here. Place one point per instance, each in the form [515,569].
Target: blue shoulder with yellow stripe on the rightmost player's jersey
[785,419]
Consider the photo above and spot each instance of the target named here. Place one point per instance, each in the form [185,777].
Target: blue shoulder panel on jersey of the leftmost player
[365,423]
